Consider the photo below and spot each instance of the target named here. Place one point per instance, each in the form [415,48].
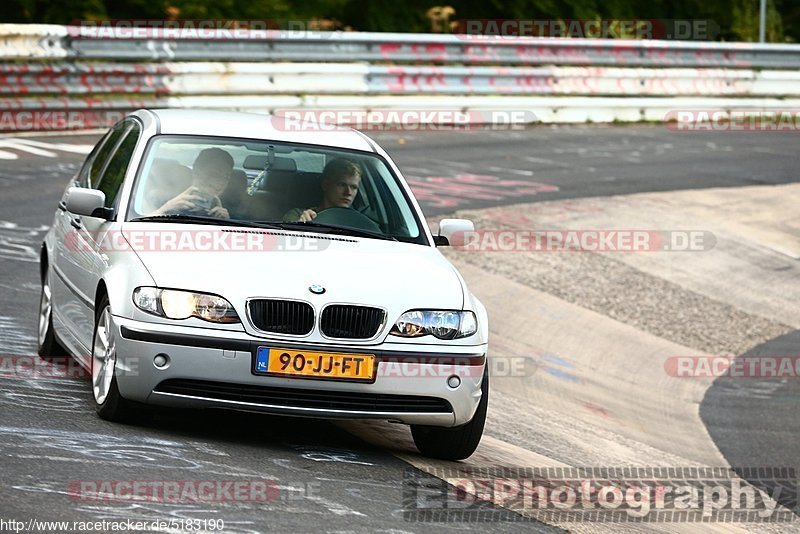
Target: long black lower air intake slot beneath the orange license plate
[305,398]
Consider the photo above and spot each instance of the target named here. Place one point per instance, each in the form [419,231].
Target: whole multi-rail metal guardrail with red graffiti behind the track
[90,80]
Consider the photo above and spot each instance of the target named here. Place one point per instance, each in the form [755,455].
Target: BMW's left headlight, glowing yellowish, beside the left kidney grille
[175,304]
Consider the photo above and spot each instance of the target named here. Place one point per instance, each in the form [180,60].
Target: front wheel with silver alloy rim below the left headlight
[108,402]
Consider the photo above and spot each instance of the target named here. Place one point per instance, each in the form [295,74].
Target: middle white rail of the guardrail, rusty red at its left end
[354,78]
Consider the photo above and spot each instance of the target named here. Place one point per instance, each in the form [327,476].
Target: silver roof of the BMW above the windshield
[255,126]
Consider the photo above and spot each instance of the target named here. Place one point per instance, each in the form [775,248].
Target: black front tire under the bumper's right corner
[455,443]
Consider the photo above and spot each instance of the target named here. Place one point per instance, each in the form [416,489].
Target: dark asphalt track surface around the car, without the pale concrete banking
[330,479]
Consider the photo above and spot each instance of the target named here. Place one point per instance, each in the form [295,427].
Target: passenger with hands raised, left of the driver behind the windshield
[210,175]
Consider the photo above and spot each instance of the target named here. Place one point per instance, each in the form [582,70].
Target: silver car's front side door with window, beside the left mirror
[80,258]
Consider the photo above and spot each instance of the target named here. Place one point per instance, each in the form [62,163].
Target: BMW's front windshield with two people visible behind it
[319,189]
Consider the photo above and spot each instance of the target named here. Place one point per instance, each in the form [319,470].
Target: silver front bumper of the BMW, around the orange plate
[214,369]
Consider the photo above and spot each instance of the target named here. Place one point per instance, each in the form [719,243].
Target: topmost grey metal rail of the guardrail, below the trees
[432,49]
